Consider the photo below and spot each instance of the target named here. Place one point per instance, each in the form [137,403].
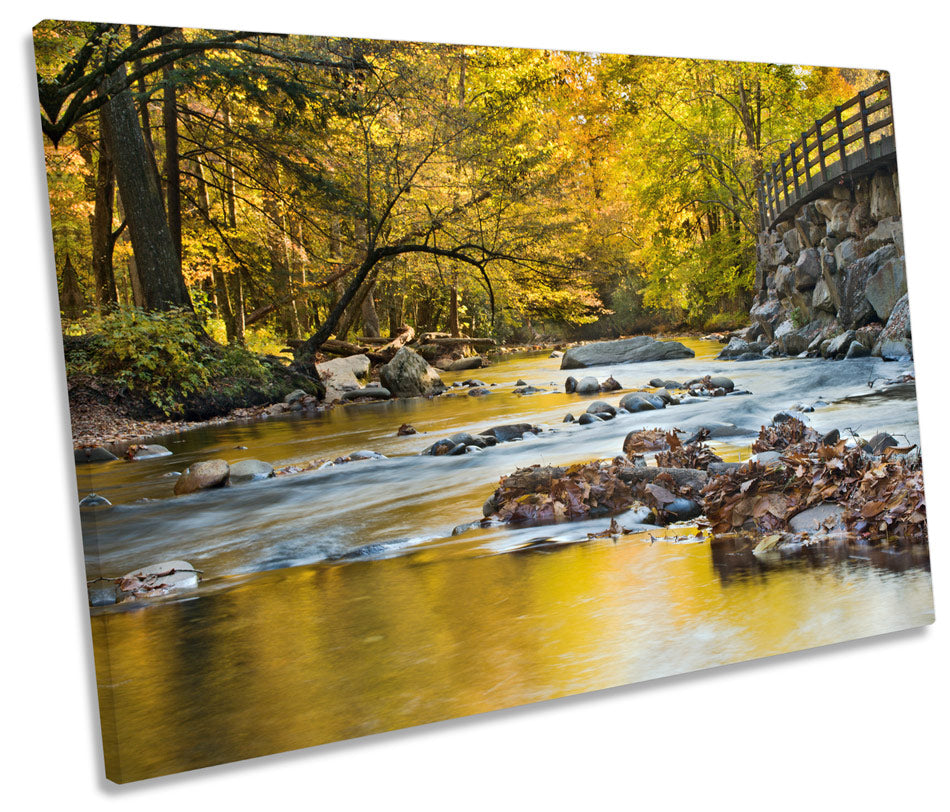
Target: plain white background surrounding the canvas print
[858,724]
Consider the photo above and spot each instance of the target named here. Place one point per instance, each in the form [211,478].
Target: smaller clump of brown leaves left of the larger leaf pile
[543,495]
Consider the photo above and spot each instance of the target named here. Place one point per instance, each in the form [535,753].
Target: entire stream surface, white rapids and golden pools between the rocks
[337,603]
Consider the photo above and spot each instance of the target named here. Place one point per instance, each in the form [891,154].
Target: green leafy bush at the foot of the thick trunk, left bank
[162,358]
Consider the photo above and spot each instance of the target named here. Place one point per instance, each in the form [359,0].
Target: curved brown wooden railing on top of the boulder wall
[852,141]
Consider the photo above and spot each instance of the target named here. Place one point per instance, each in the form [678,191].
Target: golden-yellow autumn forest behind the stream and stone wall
[286,189]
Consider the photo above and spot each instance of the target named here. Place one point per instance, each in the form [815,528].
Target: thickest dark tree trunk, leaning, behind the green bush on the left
[156,259]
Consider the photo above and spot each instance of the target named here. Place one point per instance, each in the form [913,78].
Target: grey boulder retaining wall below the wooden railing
[830,280]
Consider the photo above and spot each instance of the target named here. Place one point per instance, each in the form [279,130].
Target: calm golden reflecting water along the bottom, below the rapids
[308,655]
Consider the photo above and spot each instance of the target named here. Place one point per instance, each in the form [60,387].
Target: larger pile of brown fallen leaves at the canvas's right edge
[881,497]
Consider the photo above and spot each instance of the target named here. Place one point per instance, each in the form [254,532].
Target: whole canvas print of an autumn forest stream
[410,381]
